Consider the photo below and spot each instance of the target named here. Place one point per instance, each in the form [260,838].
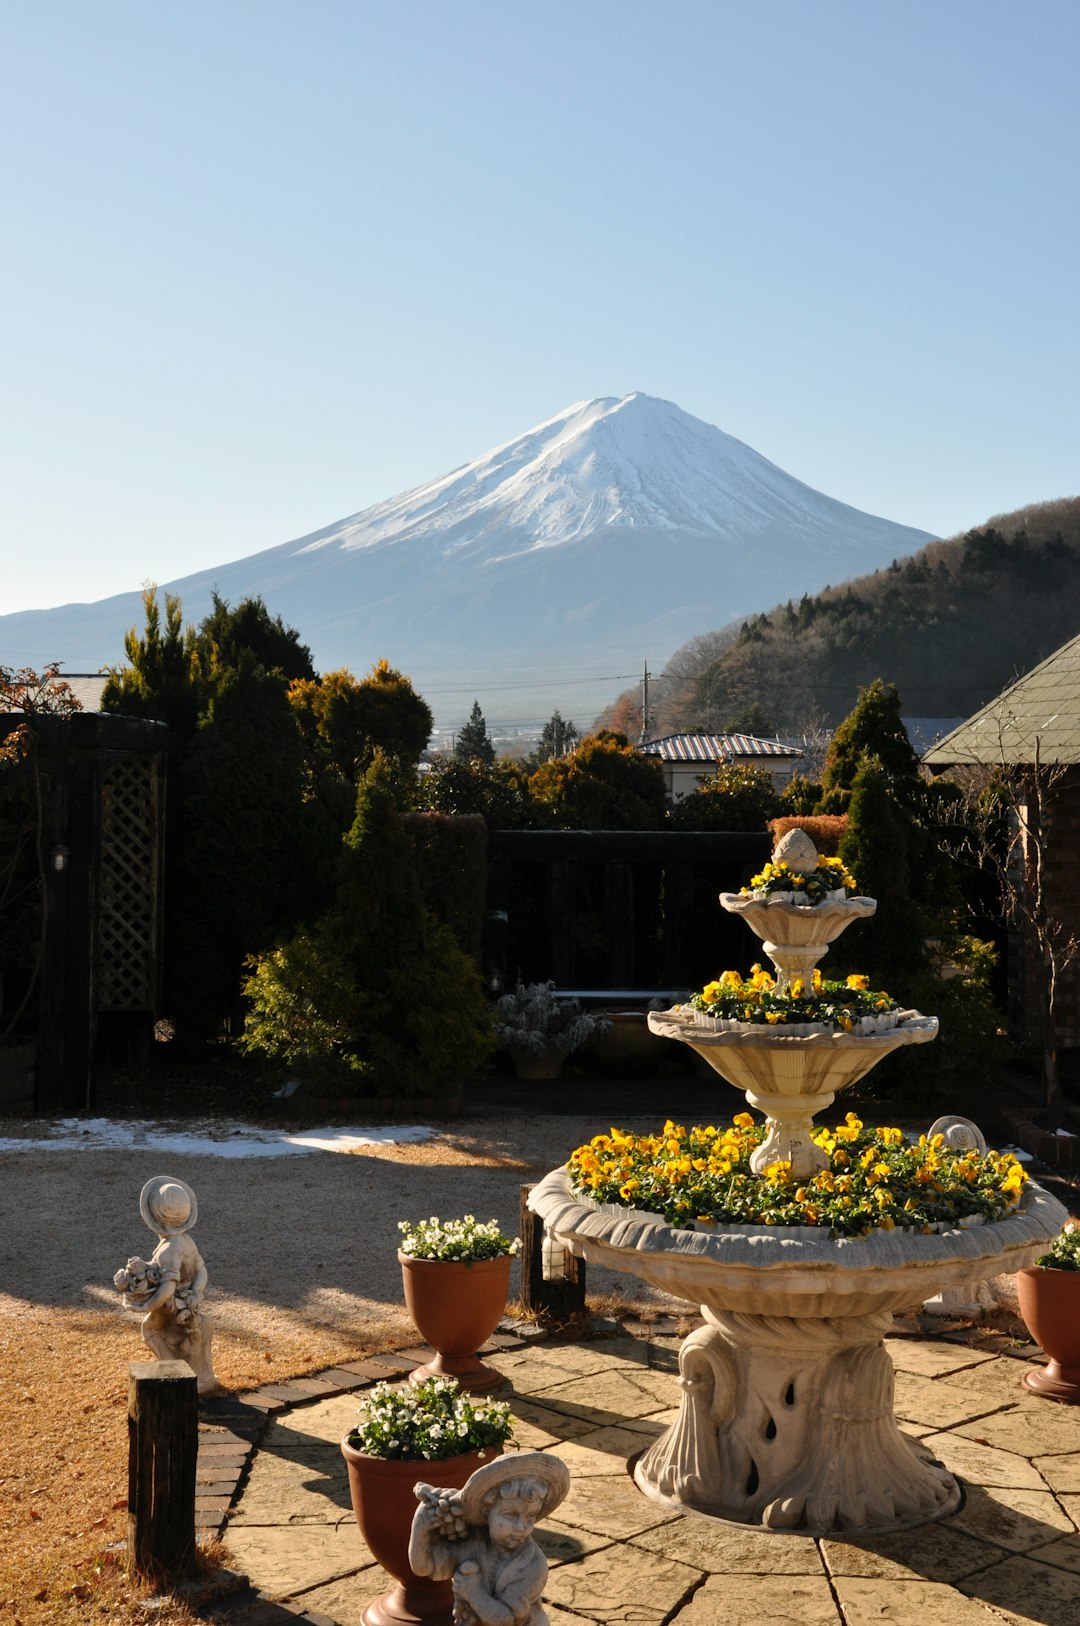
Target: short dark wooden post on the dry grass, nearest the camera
[162,1448]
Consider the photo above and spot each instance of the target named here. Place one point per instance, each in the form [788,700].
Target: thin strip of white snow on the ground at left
[207,1141]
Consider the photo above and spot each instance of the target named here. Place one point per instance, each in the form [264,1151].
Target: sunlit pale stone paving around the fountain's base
[1012,1552]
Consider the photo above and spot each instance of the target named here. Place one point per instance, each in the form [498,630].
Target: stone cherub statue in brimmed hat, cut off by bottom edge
[481,1539]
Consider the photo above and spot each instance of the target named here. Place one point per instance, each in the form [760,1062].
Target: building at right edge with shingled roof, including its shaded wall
[1034,731]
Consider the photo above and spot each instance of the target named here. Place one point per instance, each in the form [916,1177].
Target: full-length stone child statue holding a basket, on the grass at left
[170,1287]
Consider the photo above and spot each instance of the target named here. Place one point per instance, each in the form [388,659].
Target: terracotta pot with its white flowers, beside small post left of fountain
[456,1277]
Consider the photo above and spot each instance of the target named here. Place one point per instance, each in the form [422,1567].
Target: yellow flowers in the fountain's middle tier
[736,1004]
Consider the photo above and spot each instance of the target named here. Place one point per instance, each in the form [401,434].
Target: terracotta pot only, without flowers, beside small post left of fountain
[456,1308]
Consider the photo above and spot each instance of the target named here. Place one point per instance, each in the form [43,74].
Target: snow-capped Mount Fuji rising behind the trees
[539,575]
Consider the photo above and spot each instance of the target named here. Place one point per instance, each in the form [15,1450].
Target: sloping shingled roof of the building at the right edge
[1035,716]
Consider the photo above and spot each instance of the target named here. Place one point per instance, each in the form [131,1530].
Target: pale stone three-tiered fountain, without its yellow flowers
[788,1419]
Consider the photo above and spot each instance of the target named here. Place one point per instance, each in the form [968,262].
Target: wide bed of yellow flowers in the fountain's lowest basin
[876,1181]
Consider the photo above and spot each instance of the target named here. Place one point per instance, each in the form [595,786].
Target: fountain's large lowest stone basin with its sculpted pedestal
[786,1419]
